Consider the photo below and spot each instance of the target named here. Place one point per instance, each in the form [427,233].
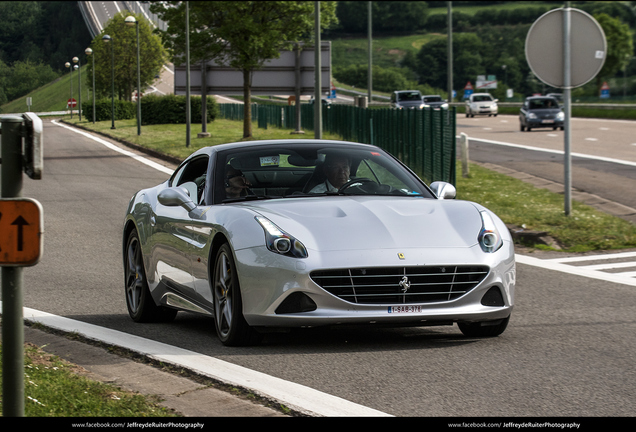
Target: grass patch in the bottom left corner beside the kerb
[56,388]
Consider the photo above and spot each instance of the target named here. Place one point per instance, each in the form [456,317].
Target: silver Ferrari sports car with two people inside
[270,235]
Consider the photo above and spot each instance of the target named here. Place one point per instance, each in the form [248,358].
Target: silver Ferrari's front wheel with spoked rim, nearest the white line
[231,327]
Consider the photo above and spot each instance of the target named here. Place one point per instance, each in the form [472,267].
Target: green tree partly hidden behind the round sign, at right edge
[620,48]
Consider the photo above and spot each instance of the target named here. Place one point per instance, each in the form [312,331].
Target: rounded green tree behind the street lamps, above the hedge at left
[124,43]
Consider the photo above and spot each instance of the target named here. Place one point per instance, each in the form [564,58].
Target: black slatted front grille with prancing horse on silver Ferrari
[400,285]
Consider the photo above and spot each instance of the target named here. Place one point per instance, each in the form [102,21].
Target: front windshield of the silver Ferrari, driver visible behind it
[316,170]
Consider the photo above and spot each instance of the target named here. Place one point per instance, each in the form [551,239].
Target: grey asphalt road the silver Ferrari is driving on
[568,351]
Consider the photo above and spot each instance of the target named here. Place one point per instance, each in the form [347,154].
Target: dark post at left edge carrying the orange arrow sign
[21,225]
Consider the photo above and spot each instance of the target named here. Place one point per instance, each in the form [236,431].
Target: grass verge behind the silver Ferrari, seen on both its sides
[515,202]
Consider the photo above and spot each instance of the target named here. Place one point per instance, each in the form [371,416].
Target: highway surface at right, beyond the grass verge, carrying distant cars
[602,142]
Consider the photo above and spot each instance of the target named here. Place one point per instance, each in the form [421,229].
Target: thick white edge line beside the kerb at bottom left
[301,398]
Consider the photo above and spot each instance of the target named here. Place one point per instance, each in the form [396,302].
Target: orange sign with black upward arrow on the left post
[21,225]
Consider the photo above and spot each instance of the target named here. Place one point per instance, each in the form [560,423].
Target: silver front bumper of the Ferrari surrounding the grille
[265,287]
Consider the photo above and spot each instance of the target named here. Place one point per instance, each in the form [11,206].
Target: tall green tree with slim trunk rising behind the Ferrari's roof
[248,33]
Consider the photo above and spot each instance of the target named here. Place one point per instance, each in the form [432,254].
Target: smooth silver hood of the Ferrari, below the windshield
[359,222]
